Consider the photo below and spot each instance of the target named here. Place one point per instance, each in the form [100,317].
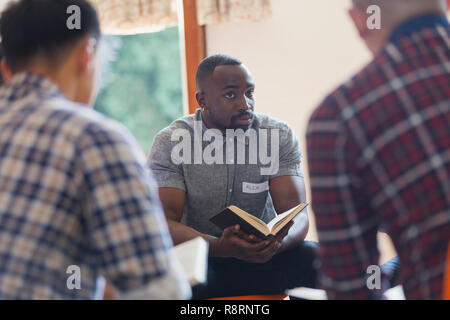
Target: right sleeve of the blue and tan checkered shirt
[124,220]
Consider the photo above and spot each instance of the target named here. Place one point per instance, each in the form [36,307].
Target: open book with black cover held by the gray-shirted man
[250,224]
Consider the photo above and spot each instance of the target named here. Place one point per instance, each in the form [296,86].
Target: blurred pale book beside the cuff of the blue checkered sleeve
[193,258]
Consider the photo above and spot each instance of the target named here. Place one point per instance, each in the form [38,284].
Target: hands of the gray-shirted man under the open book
[232,244]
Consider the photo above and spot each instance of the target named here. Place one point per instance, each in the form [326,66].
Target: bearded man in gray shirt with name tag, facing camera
[226,154]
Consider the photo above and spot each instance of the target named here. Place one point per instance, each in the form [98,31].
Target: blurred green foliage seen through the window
[141,82]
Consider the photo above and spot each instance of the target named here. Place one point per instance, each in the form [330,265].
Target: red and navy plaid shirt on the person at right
[379,159]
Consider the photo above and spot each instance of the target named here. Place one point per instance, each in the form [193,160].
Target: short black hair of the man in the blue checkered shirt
[28,27]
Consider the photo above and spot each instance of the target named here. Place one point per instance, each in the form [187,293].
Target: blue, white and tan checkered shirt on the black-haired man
[74,190]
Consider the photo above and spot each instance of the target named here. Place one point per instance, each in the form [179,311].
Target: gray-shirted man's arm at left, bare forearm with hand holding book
[229,244]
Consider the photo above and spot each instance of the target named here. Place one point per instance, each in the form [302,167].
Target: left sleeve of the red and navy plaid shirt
[346,229]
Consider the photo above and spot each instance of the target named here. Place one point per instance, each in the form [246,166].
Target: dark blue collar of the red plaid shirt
[418,23]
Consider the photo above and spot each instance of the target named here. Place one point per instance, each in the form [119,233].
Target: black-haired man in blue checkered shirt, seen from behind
[77,202]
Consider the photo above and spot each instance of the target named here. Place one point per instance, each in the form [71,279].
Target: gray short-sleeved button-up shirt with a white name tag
[217,171]
